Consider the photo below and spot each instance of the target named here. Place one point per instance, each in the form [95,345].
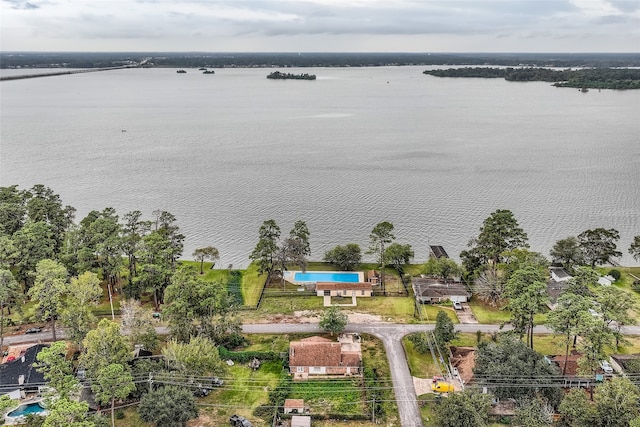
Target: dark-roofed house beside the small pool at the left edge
[19,376]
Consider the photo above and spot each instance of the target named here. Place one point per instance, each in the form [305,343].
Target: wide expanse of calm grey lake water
[225,152]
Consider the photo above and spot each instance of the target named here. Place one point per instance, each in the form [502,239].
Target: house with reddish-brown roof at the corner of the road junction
[318,356]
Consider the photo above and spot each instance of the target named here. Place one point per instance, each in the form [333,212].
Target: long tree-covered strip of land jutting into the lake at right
[594,78]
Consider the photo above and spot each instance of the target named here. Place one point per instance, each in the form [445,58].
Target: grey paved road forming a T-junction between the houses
[389,333]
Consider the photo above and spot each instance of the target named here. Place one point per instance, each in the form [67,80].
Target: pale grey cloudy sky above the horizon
[321,25]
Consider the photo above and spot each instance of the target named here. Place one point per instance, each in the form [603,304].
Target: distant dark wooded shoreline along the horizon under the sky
[85,60]
